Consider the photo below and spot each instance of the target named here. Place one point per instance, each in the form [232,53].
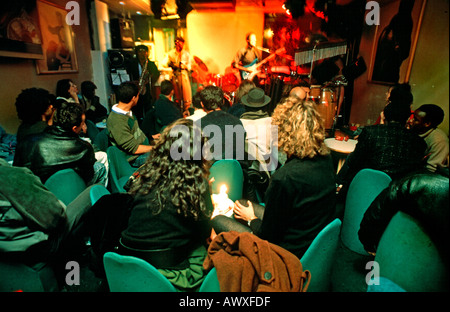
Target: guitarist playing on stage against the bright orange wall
[247,56]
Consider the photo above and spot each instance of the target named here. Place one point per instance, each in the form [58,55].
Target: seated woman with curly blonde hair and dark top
[300,199]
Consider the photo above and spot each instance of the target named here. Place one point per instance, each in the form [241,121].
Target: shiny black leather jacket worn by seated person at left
[56,149]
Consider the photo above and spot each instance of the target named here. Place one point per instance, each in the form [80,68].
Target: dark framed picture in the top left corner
[20,35]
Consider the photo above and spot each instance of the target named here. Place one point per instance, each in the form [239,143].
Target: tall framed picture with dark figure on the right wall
[395,41]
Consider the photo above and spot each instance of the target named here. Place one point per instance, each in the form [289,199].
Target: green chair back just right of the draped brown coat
[320,256]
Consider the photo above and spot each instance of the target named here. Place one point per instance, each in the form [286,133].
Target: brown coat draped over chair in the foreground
[246,263]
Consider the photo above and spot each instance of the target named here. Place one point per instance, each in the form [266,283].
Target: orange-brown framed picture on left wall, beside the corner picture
[58,43]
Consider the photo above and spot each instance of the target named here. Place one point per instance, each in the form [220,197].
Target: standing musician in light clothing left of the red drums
[179,60]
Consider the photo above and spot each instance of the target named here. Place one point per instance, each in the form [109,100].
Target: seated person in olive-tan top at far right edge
[425,121]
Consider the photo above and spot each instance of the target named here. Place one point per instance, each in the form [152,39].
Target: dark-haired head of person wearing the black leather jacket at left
[70,117]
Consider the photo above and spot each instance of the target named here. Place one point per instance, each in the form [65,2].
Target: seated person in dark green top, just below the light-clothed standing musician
[166,110]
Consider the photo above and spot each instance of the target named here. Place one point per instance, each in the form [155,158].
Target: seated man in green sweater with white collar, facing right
[123,128]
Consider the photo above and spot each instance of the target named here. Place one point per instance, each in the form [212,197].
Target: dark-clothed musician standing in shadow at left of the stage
[150,77]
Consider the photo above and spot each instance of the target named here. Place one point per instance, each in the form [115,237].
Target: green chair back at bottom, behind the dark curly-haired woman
[131,274]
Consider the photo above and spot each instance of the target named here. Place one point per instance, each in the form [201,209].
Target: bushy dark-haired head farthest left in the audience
[33,104]
